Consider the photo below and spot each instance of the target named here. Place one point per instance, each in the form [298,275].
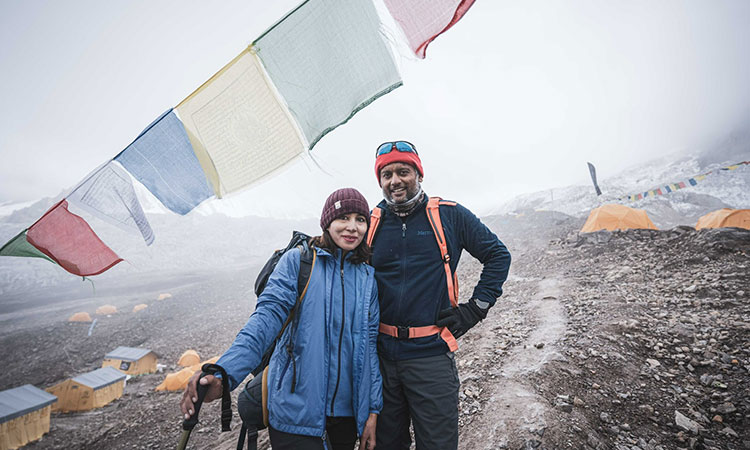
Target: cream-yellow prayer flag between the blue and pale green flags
[240,130]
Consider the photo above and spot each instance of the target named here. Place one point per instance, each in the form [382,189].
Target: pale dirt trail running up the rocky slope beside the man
[514,414]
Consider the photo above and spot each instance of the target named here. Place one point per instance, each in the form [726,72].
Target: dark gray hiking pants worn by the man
[423,391]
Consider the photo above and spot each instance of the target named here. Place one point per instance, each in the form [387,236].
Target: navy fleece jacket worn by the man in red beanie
[411,279]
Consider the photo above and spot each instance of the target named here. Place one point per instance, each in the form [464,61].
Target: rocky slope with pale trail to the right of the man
[626,340]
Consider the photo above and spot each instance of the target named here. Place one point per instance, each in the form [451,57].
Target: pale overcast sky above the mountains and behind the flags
[515,98]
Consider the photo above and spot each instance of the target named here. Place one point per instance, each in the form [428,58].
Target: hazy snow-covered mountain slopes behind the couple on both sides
[207,239]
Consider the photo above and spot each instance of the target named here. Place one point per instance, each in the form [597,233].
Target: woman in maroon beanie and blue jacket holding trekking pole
[328,391]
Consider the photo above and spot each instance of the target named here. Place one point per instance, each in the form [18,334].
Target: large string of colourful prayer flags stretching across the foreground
[298,81]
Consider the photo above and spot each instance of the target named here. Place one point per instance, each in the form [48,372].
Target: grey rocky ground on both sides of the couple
[634,340]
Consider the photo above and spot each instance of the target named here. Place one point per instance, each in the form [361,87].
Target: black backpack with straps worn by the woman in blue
[254,409]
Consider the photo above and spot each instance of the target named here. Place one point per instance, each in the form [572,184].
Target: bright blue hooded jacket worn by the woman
[304,410]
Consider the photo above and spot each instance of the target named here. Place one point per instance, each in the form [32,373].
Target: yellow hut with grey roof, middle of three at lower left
[88,391]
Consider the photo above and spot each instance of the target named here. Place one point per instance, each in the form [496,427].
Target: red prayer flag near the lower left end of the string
[70,242]
